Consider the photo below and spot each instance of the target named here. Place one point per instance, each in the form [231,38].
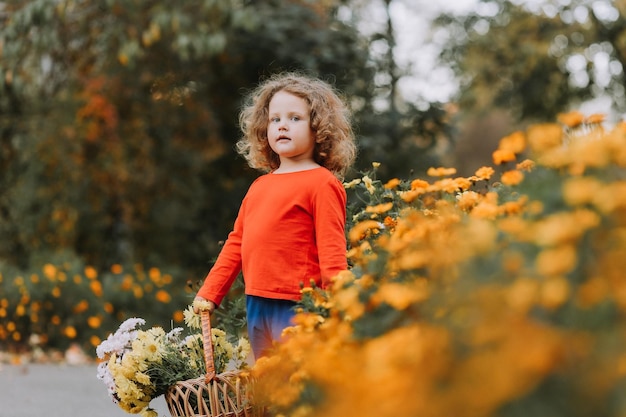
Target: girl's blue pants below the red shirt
[267,318]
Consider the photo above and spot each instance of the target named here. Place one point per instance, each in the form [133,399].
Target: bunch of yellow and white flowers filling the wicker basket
[140,365]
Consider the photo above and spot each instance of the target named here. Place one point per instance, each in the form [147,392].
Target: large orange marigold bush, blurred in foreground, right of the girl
[498,294]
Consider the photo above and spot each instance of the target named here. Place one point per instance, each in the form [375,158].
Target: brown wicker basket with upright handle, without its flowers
[211,395]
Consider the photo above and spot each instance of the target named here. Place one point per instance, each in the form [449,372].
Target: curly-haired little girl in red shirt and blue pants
[290,226]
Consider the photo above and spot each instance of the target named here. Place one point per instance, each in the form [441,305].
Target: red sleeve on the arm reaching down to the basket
[228,265]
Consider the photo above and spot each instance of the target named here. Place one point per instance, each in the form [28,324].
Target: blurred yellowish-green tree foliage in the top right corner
[521,57]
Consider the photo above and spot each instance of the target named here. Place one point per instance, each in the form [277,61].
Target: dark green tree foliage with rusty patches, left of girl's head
[117,120]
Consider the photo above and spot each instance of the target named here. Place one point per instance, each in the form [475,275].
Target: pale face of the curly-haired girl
[289,128]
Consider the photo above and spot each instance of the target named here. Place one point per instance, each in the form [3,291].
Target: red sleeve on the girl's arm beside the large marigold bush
[330,223]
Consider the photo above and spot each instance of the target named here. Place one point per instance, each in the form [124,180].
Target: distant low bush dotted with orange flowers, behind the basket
[65,302]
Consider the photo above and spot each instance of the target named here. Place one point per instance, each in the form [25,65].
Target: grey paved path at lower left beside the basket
[35,390]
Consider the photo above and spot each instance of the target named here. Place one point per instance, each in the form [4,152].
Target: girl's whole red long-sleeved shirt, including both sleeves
[290,230]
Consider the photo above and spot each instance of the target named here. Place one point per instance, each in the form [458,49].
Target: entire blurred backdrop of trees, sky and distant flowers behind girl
[118,118]
